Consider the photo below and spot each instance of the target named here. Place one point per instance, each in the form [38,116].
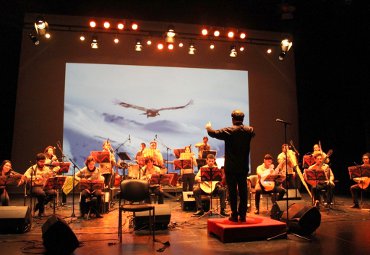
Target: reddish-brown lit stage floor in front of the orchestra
[342,231]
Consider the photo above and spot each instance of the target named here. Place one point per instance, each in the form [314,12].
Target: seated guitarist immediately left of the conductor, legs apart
[206,187]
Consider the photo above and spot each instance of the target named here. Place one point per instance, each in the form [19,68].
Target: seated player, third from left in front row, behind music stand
[92,173]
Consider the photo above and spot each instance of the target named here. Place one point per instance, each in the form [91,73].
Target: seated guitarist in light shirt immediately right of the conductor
[268,187]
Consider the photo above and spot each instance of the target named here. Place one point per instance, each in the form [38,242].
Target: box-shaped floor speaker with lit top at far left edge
[15,219]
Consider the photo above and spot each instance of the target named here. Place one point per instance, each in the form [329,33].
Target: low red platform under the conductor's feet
[255,228]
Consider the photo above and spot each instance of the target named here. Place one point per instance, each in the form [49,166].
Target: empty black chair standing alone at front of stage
[131,199]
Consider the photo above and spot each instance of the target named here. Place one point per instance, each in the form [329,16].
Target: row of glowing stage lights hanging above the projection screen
[167,40]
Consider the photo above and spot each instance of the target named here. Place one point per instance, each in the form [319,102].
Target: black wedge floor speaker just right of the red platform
[301,219]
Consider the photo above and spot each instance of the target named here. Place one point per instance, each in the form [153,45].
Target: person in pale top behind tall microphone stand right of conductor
[292,162]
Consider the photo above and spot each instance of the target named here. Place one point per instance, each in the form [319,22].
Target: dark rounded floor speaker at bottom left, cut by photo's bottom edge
[58,237]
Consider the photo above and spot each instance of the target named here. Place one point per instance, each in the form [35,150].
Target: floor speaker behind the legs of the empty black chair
[162,218]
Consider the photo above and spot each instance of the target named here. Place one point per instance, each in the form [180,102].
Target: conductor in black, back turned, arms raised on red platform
[237,146]
